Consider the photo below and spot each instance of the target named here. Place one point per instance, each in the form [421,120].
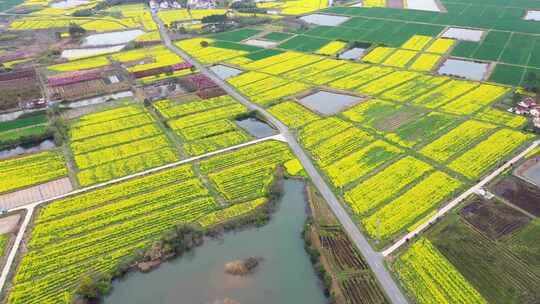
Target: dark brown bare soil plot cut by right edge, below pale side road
[519,193]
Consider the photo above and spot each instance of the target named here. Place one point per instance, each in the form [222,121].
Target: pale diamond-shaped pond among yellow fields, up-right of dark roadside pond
[328,103]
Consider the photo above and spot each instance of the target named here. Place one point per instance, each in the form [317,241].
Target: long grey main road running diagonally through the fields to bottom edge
[374,259]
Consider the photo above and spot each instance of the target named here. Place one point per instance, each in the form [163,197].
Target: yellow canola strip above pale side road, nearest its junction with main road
[405,209]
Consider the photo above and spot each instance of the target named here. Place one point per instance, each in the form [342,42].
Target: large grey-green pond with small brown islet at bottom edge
[284,276]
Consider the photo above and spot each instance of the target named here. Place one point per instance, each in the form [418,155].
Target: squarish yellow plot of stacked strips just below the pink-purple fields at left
[116,143]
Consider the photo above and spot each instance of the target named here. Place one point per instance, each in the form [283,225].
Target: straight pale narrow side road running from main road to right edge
[460,198]
